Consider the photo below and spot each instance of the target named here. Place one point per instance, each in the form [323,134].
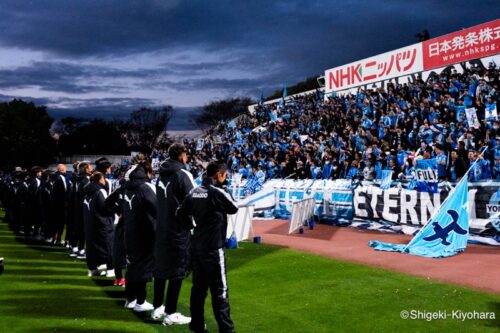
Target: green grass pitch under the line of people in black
[271,289]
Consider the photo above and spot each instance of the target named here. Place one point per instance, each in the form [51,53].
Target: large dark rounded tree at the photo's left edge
[24,134]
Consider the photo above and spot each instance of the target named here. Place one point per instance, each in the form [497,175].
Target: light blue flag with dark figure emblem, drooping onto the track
[444,235]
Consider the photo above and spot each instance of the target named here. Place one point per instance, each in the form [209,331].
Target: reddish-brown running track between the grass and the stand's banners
[478,267]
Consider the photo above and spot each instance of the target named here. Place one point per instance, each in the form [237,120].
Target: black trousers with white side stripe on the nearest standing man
[209,272]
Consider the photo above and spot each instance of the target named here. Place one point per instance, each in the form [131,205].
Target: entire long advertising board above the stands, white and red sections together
[473,43]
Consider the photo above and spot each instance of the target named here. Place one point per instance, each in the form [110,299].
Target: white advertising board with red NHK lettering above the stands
[406,60]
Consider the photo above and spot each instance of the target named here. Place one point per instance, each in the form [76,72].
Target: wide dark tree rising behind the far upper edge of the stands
[223,110]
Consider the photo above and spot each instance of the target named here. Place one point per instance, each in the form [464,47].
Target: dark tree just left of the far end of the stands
[146,127]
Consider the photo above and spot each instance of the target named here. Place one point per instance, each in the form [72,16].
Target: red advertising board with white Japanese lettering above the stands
[472,43]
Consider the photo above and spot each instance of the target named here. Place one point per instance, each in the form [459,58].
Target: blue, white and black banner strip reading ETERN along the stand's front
[343,200]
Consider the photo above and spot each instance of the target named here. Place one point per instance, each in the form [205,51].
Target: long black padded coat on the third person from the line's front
[139,217]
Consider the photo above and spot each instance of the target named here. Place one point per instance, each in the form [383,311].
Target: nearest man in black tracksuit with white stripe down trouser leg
[209,205]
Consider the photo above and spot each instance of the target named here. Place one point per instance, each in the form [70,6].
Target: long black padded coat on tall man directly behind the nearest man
[172,235]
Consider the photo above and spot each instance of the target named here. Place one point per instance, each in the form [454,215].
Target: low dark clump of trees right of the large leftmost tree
[94,137]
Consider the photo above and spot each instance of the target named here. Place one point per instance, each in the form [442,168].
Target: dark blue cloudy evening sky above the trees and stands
[104,55]
